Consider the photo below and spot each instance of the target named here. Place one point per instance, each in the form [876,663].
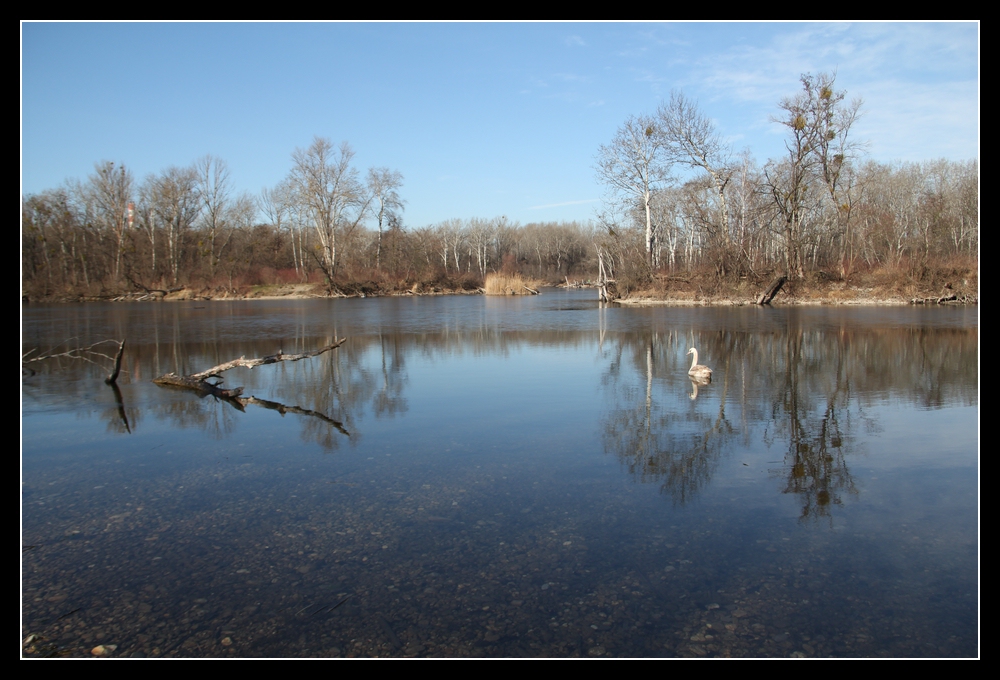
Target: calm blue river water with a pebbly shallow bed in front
[504,477]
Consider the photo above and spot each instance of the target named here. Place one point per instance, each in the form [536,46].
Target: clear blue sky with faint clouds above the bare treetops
[481,119]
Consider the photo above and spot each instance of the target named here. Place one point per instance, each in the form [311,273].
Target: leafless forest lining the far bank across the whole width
[682,208]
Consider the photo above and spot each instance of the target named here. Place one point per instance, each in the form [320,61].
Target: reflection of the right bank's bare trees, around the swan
[803,389]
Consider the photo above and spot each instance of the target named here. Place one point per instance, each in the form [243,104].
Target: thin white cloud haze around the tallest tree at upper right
[919,81]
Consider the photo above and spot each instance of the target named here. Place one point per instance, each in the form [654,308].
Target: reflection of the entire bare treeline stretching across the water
[803,388]
